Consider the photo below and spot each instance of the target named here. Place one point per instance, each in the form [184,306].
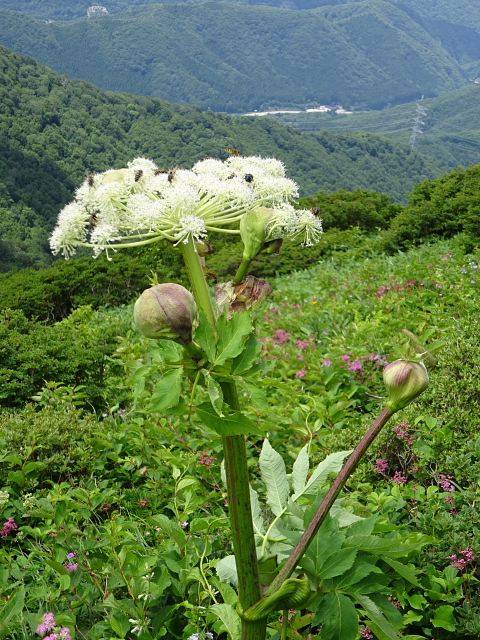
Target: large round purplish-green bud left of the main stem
[166,311]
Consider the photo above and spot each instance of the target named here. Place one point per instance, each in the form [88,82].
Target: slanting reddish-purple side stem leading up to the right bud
[324,508]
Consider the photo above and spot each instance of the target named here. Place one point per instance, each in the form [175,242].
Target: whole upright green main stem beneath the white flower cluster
[236,468]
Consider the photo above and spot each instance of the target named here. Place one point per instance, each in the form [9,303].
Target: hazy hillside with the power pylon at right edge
[448,126]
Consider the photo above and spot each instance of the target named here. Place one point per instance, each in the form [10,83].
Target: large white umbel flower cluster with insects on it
[142,203]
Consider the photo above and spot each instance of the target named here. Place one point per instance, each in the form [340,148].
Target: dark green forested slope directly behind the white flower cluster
[54,129]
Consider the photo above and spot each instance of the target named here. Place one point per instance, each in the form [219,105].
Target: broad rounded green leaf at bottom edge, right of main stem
[338,617]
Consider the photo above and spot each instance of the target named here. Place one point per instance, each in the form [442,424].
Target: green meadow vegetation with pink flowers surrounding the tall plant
[114,489]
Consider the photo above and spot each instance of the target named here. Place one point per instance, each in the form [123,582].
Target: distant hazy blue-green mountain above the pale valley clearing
[232,57]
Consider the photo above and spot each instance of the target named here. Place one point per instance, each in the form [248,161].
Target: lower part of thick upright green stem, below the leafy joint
[239,506]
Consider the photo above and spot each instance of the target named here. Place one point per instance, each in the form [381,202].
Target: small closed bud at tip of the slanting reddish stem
[405,381]
